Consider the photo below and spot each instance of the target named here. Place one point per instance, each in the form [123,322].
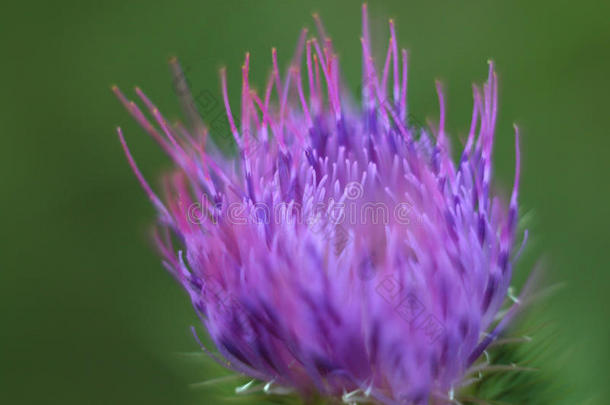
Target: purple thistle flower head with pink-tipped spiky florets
[342,252]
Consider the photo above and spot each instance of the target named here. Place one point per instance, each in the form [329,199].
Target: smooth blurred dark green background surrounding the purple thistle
[89,316]
